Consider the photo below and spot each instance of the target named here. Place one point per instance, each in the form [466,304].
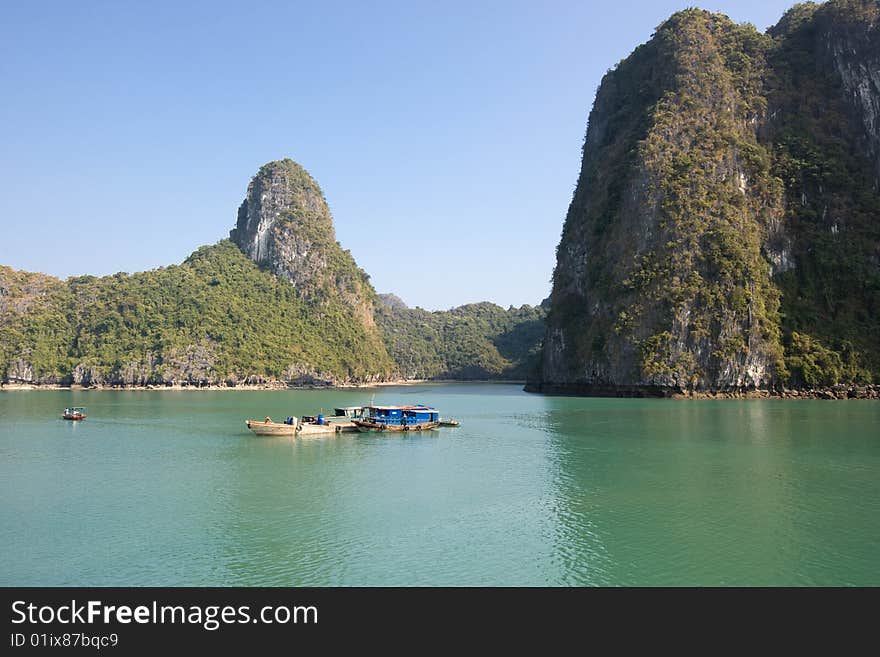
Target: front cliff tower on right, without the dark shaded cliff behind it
[660,281]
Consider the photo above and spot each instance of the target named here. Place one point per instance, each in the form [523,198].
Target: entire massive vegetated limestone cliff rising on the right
[723,231]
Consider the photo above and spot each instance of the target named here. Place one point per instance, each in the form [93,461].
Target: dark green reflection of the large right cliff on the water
[716,492]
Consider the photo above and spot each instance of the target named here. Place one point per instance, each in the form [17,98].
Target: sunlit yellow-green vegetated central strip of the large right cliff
[715,199]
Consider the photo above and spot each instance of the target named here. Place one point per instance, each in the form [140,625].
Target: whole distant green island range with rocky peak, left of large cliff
[280,303]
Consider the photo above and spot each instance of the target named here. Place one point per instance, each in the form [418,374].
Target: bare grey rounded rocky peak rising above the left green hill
[285,226]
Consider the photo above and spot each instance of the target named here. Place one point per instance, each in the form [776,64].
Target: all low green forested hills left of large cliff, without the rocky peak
[218,318]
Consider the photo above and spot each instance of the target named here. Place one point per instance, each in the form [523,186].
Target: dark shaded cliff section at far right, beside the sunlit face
[822,155]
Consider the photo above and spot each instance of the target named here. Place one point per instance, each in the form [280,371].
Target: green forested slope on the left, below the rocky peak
[215,318]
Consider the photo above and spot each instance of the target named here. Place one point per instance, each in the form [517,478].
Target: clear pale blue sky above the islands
[129,130]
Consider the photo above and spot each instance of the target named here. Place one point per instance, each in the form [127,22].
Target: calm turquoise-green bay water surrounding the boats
[169,488]
